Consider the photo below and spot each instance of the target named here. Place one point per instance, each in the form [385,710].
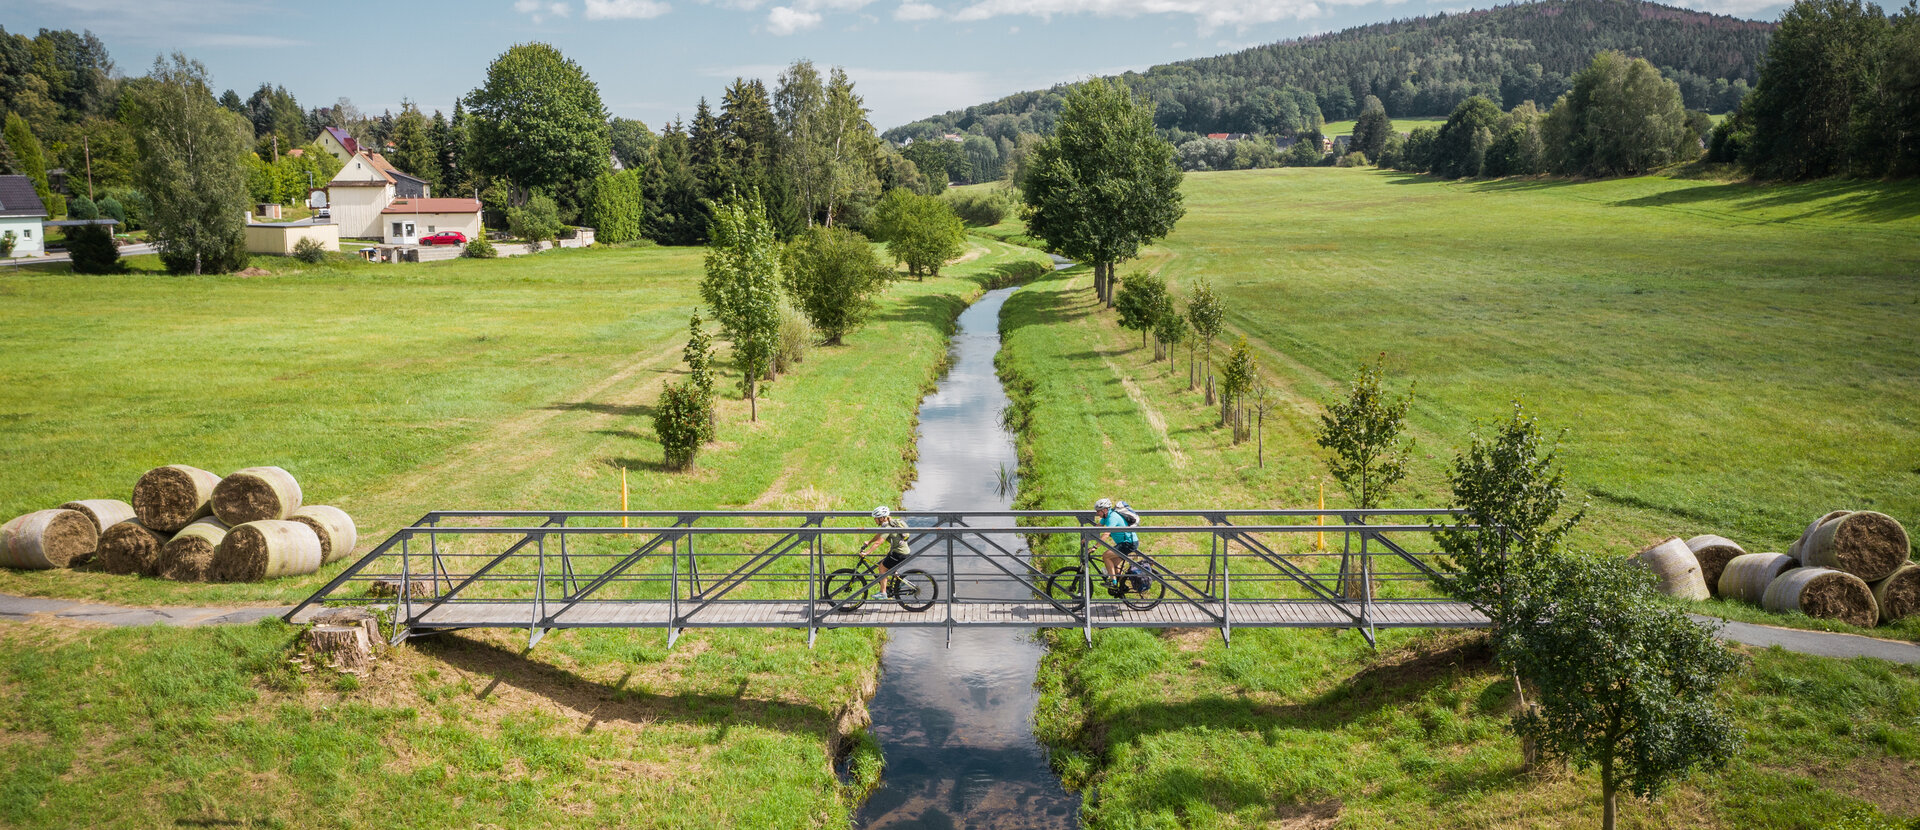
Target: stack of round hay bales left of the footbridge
[189,525]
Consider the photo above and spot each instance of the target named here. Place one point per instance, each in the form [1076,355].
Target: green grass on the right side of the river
[1729,360]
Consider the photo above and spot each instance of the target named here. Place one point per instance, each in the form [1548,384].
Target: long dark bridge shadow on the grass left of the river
[619,704]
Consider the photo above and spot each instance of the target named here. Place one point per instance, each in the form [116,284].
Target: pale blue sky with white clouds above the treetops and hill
[656,59]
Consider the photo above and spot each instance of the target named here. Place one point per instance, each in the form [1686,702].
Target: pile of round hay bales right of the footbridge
[1848,566]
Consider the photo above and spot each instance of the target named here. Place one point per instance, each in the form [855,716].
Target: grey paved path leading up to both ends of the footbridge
[18,610]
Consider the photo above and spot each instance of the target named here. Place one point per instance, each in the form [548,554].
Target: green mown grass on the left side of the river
[393,391]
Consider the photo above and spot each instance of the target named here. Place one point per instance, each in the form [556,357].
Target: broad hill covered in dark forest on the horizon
[1422,66]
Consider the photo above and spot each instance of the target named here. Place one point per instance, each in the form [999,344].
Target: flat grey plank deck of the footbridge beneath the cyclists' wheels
[796,614]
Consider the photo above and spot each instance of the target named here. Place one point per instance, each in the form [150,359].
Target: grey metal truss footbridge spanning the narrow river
[694,570]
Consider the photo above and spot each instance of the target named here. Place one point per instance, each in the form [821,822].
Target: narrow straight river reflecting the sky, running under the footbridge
[955,723]
